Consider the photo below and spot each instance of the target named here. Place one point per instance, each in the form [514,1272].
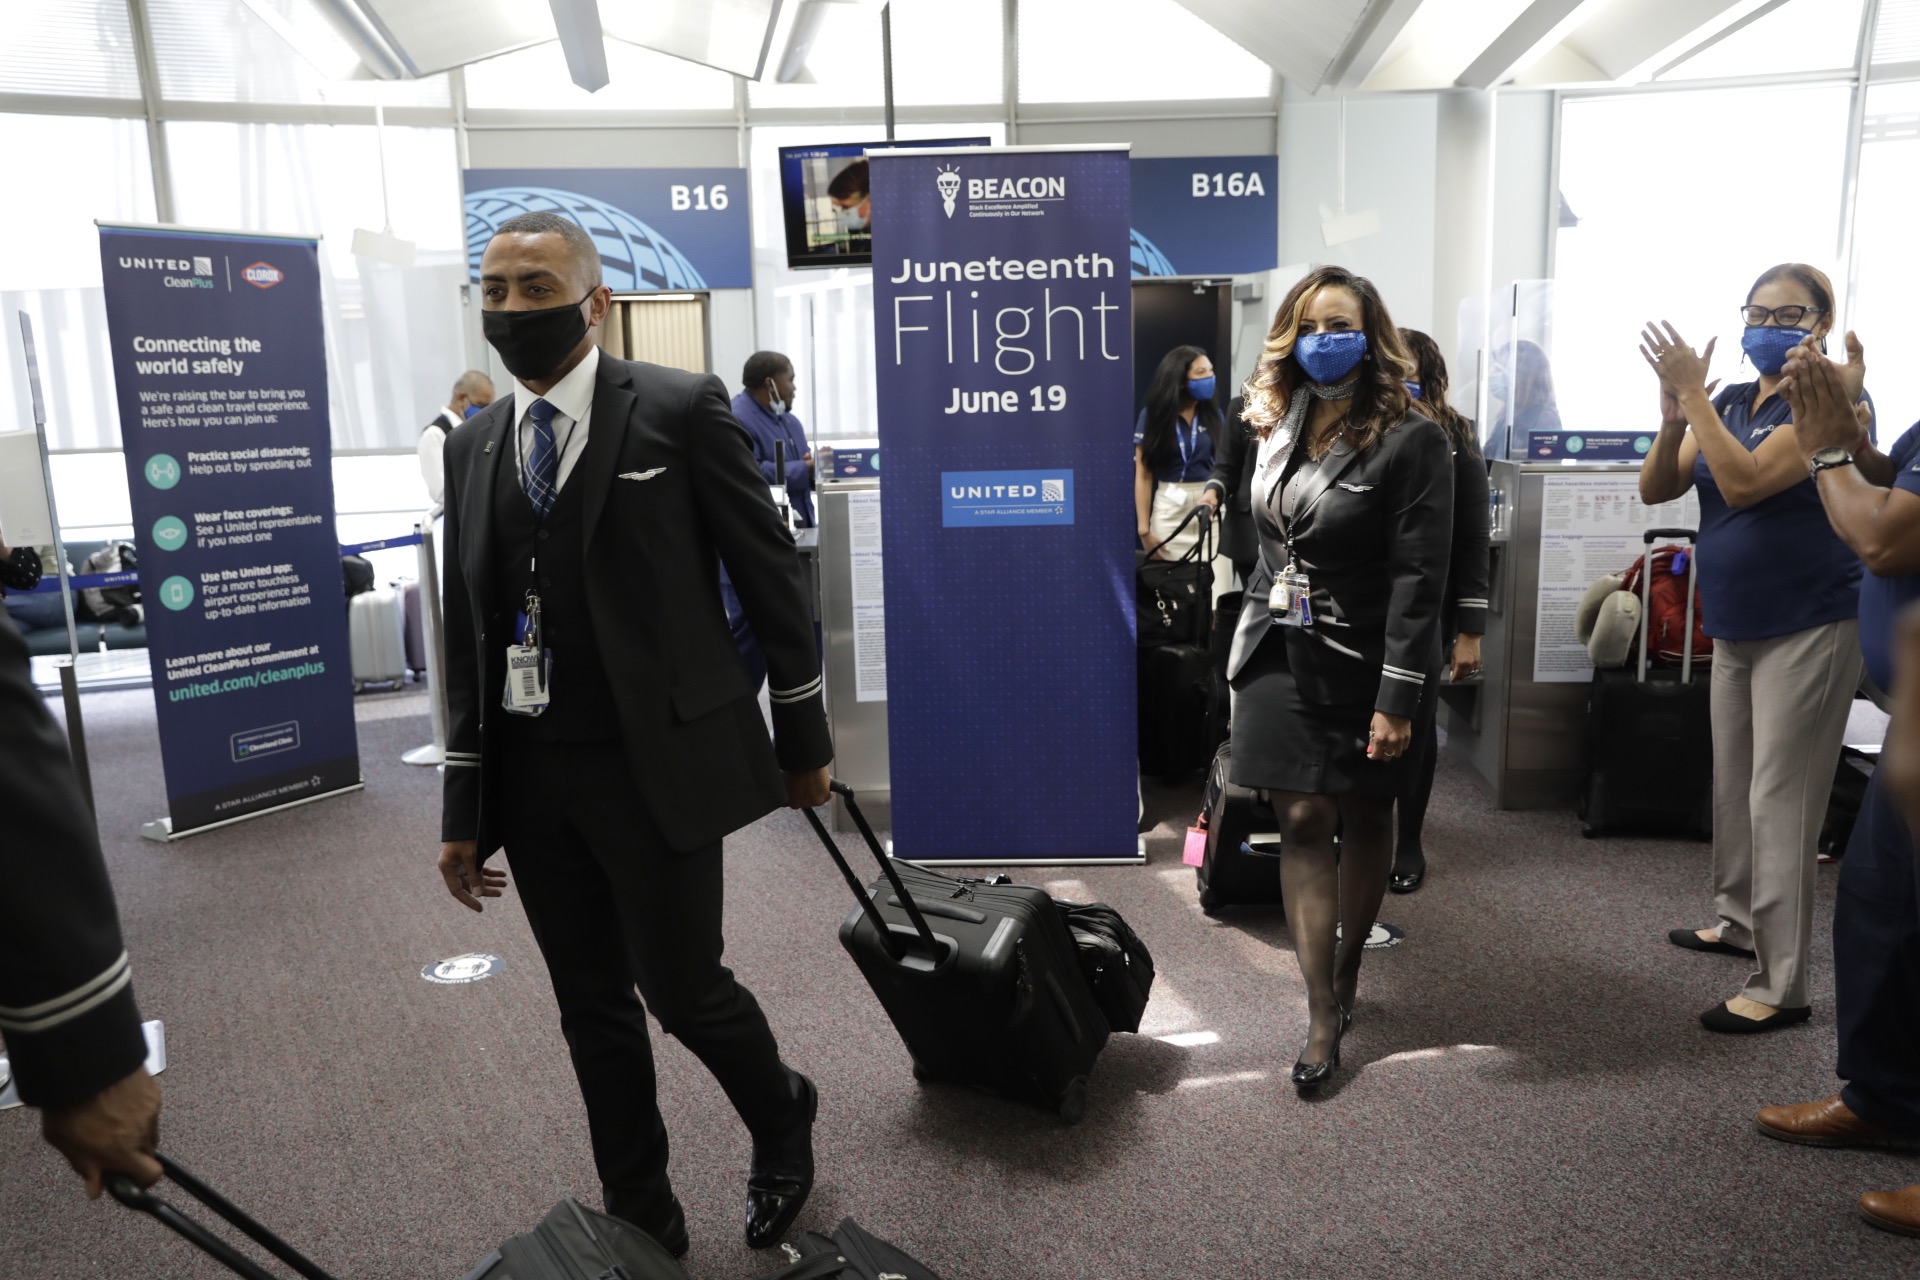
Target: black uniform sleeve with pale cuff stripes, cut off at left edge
[66,987]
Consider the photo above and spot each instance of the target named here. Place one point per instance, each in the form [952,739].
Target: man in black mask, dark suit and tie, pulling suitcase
[588,517]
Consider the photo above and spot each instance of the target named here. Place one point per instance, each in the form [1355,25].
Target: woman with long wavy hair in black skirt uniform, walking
[1355,508]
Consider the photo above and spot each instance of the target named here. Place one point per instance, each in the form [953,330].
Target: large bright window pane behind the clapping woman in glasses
[1654,243]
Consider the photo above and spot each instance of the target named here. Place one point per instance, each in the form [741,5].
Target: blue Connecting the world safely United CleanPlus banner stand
[222,379]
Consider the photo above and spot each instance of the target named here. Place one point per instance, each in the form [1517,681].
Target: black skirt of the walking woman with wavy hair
[1284,742]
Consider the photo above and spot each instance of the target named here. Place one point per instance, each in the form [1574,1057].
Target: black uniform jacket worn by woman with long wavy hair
[1374,538]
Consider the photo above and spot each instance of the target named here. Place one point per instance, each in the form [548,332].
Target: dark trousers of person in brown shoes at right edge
[1877,968]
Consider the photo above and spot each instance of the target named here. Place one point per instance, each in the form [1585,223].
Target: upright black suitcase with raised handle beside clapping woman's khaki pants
[1650,736]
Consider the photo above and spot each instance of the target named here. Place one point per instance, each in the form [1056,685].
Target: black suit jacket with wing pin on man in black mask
[671,492]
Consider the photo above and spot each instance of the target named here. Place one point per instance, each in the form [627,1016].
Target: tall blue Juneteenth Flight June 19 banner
[1003,341]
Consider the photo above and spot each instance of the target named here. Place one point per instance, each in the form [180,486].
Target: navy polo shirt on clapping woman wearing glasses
[1777,567]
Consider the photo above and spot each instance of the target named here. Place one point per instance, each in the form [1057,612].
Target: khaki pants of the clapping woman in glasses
[1779,717]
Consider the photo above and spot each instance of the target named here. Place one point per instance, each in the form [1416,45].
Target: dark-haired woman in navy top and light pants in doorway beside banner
[1174,454]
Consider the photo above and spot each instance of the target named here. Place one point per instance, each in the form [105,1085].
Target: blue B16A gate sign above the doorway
[1207,216]
